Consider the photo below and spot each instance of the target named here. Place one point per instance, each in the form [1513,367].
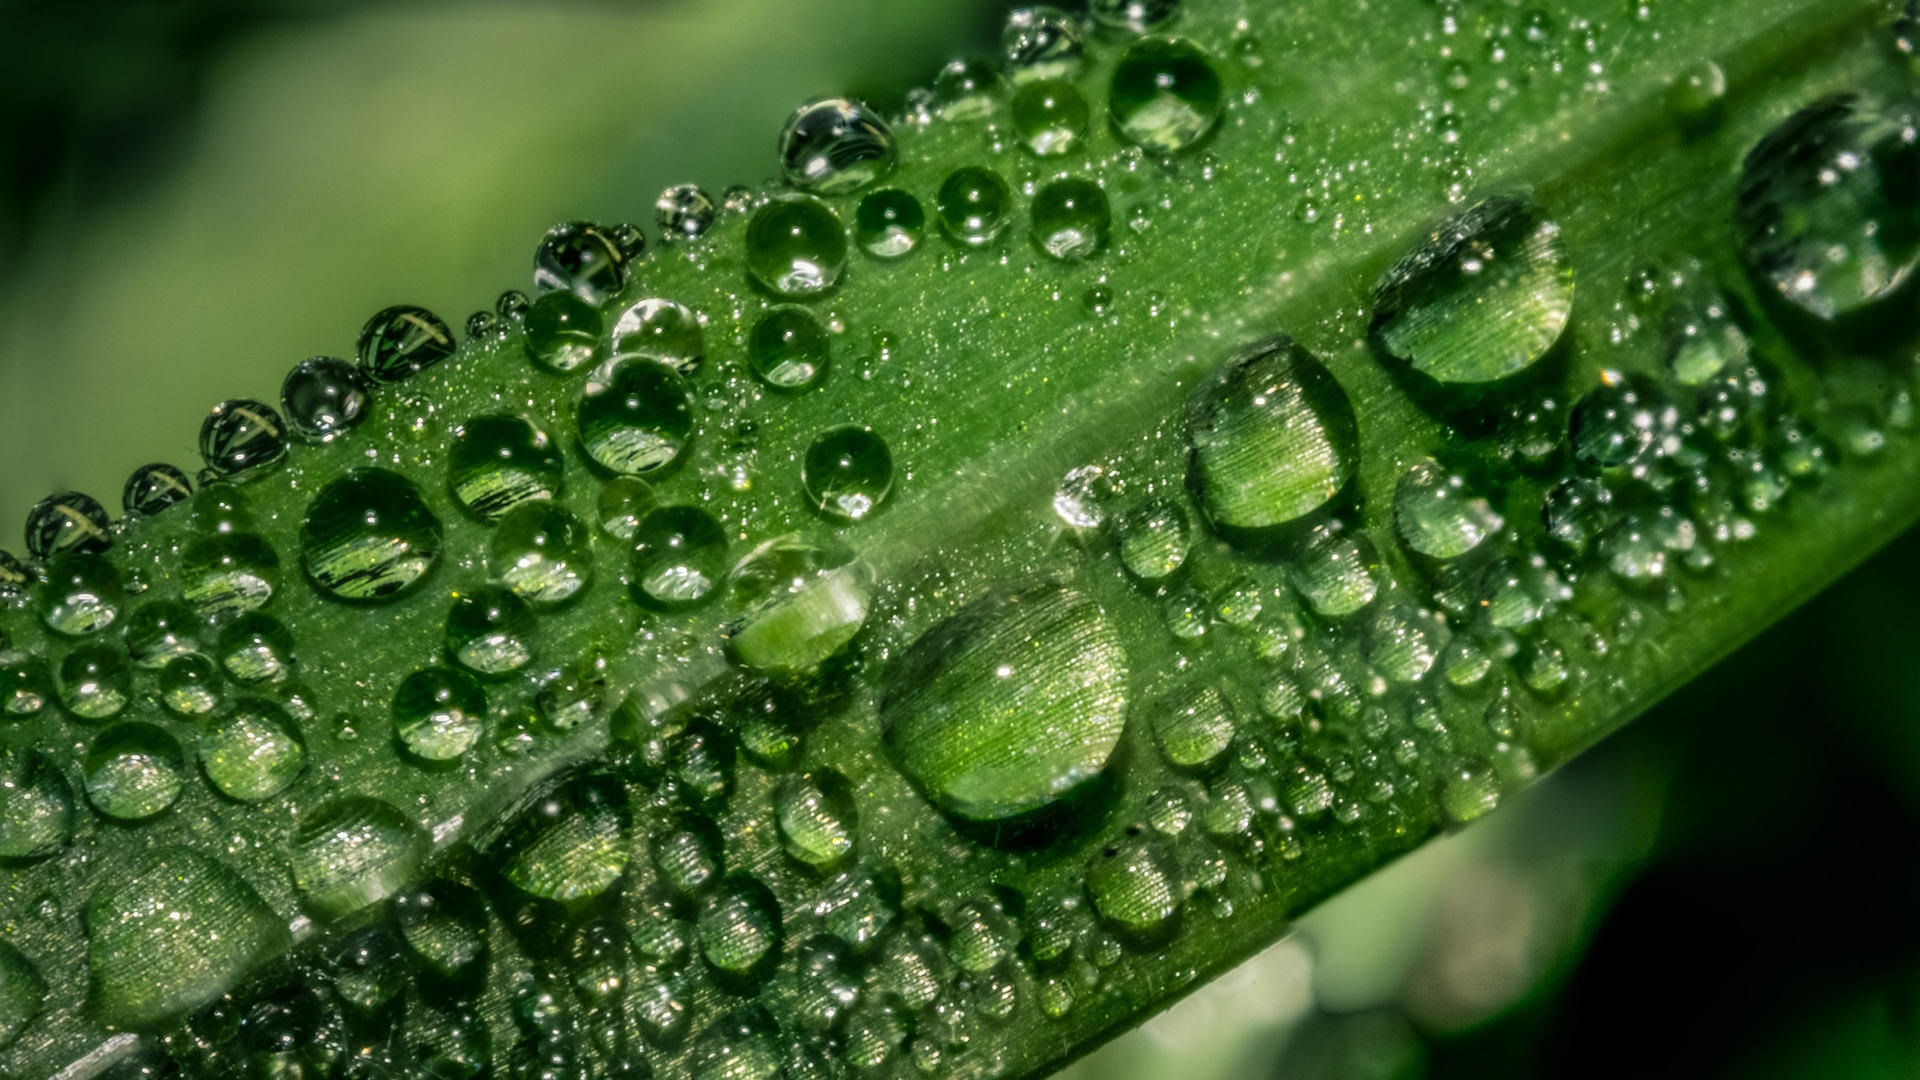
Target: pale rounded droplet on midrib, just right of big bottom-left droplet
[354,852]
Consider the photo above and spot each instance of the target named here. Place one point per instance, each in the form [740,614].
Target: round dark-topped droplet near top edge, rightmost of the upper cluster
[1166,95]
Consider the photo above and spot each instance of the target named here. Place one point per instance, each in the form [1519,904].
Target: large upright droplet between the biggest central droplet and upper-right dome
[1274,439]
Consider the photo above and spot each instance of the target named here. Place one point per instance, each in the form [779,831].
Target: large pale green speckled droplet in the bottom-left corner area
[172,937]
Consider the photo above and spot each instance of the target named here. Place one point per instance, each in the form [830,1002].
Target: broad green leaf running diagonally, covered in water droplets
[1003,608]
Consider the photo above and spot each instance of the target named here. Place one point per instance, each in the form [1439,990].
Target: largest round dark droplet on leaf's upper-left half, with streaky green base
[370,537]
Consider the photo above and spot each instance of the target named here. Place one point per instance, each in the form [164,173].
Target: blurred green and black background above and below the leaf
[201,195]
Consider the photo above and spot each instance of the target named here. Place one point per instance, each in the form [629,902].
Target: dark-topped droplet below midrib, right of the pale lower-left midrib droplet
[567,841]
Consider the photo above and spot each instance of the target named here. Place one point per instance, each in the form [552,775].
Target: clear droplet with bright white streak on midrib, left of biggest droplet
[802,606]
